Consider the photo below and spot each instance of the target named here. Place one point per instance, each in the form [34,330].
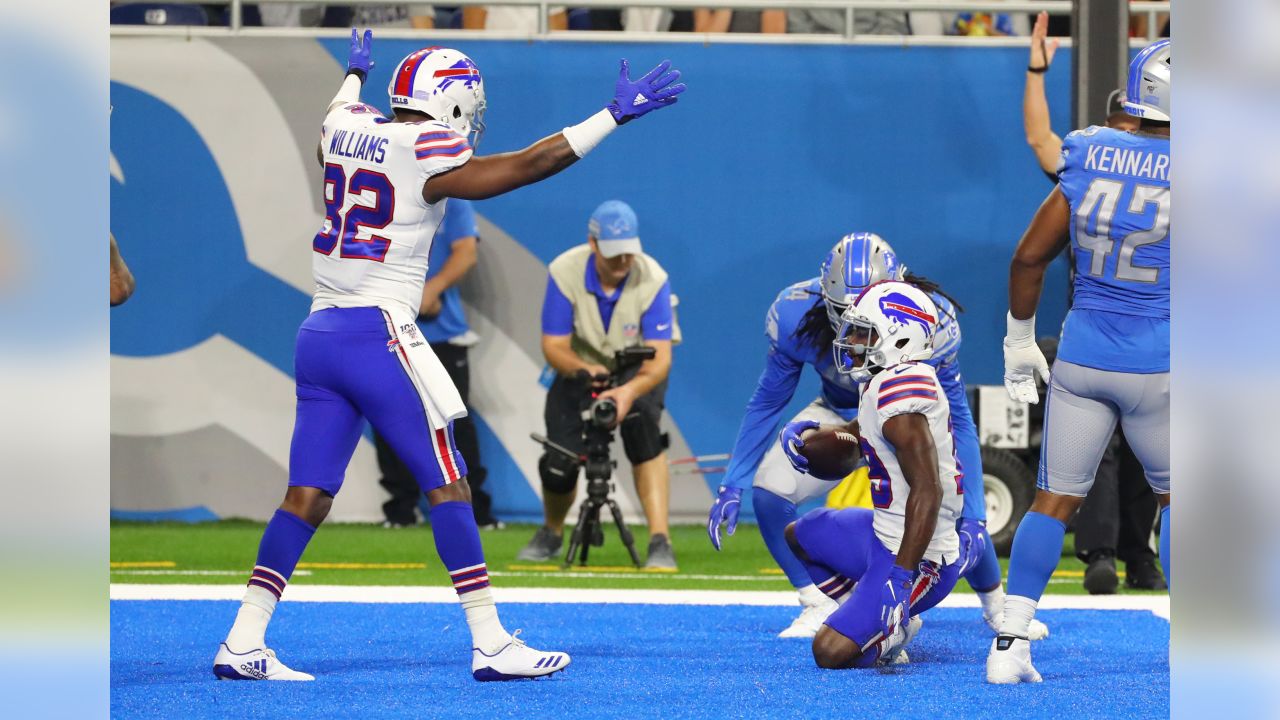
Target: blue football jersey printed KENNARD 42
[1118,188]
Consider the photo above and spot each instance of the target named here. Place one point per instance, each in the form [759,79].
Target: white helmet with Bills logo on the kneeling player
[890,323]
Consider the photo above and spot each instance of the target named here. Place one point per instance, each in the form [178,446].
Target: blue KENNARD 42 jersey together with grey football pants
[1113,362]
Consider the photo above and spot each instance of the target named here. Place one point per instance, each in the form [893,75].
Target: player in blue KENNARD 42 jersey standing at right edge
[1112,204]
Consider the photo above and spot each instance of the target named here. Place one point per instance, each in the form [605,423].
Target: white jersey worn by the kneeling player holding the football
[911,388]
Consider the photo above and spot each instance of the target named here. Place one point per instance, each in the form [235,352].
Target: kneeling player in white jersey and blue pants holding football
[886,567]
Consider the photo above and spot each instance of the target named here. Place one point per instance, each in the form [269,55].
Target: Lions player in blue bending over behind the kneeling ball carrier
[801,326]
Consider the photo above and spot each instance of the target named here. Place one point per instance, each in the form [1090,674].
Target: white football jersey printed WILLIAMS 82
[377,235]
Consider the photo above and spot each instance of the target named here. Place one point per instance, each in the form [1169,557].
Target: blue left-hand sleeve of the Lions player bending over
[760,426]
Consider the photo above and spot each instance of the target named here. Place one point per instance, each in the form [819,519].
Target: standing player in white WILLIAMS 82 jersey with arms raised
[359,353]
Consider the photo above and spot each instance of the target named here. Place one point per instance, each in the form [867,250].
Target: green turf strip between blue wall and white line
[371,555]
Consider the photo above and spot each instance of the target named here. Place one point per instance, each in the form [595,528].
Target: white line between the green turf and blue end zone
[1158,605]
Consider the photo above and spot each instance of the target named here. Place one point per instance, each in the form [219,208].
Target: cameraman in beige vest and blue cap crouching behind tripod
[602,298]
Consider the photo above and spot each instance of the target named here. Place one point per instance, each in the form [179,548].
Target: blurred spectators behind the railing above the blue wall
[513,19]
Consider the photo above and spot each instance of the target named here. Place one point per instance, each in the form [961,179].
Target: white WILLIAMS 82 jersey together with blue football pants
[360,354]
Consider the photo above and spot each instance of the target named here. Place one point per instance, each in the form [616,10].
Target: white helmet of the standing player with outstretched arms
[444,84]
